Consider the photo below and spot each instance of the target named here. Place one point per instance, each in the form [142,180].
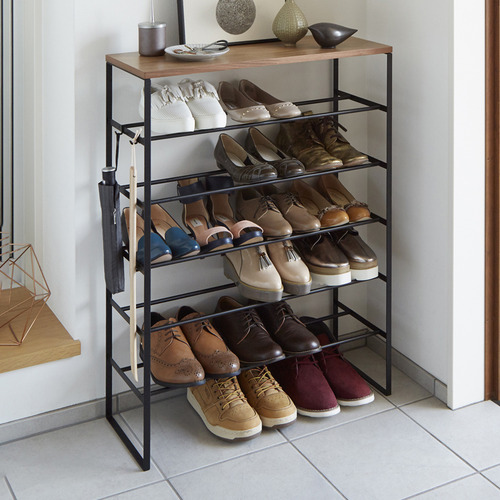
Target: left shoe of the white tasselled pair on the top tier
[169,111]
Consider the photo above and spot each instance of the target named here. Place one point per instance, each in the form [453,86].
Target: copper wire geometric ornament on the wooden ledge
[23,289]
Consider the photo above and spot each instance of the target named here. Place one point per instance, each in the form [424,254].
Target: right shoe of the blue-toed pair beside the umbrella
[178,241]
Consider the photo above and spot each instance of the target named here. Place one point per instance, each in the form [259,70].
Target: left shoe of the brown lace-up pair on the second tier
[299,140]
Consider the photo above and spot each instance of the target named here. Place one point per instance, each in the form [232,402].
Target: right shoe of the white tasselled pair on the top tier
[203,101]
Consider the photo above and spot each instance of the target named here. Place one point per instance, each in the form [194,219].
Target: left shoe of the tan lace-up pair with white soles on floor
[224,409]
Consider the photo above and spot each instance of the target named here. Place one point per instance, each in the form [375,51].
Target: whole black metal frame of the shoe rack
[339,309]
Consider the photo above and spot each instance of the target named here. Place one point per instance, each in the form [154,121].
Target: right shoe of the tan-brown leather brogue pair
[207,345]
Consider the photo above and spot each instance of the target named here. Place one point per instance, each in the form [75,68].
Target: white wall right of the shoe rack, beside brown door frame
[438,313]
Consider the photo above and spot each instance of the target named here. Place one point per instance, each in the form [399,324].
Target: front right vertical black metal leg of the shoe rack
[388,307]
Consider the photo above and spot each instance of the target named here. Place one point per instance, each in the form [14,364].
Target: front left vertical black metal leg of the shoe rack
[147,279]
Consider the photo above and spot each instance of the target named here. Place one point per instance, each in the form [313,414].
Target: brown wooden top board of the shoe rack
[244,56]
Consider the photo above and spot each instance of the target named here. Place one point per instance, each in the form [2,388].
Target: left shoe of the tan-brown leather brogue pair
[172,361]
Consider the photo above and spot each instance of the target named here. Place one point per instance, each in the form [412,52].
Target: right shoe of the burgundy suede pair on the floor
[349,387]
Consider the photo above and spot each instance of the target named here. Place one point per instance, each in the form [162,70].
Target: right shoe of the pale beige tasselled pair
[295,275]
